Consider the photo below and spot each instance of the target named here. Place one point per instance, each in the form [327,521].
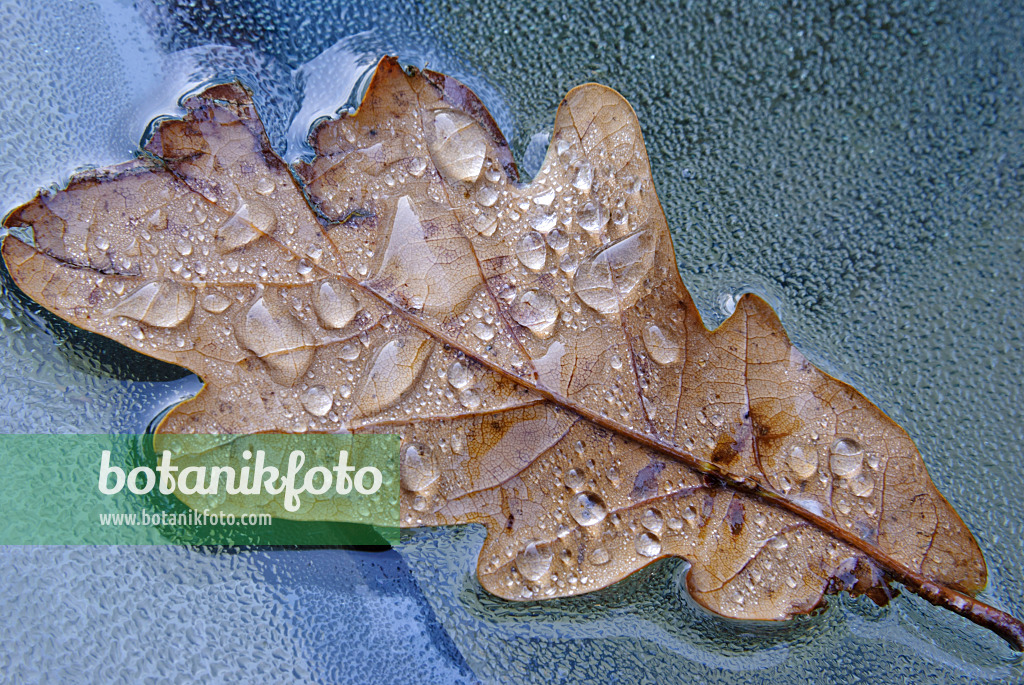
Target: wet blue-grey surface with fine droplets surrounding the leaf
[859,166]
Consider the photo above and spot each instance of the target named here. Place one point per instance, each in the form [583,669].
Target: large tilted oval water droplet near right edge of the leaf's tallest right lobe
[608,280]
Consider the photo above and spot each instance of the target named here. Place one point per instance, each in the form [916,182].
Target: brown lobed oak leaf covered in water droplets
[533,345]
